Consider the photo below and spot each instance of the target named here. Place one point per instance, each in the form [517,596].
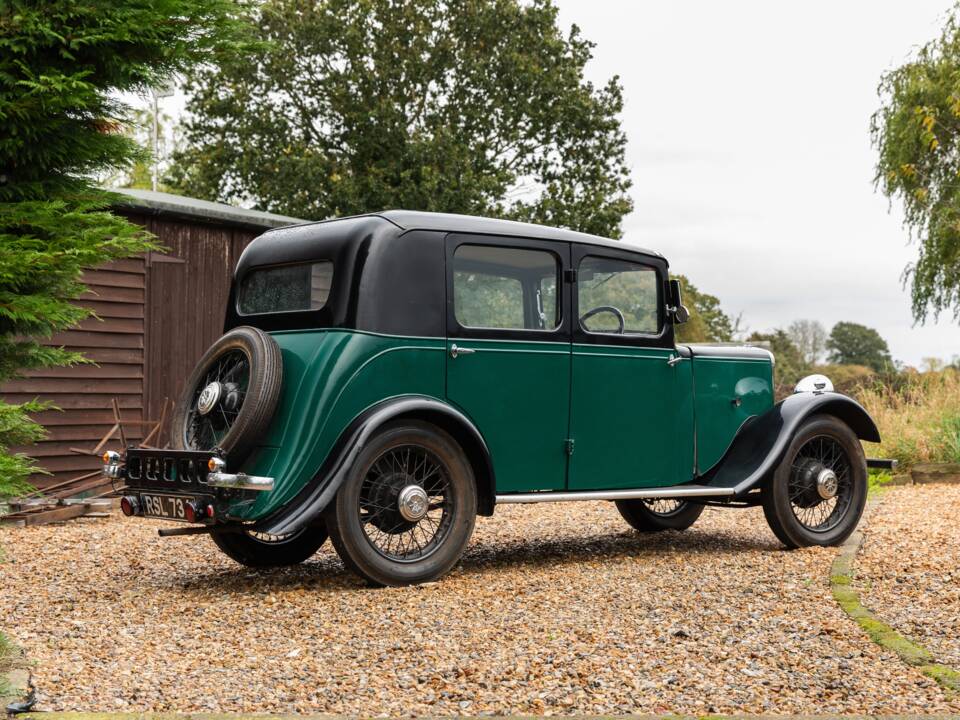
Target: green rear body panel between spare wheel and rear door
[330,377]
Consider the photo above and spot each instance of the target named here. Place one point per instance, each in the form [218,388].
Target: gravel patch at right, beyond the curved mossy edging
[908,568]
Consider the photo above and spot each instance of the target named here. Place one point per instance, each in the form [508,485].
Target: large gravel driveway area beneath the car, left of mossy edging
[555,609]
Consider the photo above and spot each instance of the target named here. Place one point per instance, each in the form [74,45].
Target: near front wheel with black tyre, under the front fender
[796,512]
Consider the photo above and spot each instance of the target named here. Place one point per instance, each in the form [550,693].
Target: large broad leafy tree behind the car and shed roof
[470,106]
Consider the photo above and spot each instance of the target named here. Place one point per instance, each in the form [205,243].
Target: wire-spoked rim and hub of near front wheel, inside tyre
[821,484]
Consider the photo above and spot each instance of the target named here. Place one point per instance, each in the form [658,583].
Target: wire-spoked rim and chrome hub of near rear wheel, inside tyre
[406,504]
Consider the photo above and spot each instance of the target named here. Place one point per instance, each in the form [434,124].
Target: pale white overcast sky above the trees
[748,131]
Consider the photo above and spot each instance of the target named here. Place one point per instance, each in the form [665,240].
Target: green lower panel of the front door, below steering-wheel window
[631,418]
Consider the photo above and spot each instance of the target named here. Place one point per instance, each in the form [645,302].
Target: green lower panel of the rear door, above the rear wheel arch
[517,394]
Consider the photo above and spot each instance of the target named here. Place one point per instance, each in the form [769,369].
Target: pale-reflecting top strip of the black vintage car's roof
[450,222]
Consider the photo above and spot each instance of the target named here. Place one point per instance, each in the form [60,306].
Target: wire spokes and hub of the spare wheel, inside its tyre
[217,401]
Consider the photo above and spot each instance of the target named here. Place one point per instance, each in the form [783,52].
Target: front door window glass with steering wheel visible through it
[617,296]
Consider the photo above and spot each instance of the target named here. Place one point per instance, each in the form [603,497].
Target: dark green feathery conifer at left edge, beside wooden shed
[62,63]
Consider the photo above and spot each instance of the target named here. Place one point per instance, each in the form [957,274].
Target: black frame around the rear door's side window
[561,251]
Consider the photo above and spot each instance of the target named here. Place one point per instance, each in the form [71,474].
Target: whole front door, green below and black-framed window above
[631,416]
